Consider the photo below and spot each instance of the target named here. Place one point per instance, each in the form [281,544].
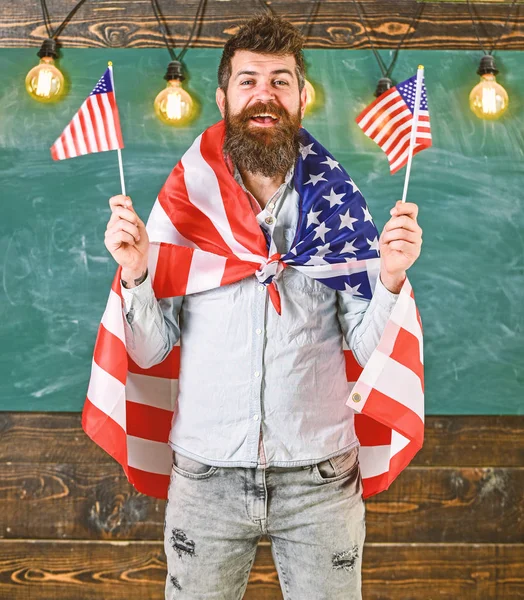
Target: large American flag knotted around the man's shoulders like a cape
[203,234]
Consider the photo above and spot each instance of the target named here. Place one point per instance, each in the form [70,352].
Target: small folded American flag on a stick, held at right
[388,121]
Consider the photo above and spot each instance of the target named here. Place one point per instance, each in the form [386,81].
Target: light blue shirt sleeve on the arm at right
[363,321]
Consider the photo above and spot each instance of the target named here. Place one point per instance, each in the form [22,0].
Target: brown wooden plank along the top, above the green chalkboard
[118,24]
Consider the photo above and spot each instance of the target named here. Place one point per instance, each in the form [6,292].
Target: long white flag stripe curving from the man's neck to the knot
[204,193]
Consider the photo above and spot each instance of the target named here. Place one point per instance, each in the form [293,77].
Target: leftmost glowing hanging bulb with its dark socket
[45,82]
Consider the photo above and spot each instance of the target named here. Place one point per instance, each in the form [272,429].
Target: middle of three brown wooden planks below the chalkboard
[436,504]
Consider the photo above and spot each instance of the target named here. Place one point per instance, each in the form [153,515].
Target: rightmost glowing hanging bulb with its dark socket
[488,99]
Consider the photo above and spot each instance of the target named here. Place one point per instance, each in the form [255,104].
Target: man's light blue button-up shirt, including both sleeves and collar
[256,388]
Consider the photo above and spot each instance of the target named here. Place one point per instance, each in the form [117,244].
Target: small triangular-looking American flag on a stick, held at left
[96,125]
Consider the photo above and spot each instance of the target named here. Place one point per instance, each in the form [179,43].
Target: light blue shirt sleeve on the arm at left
[151,326]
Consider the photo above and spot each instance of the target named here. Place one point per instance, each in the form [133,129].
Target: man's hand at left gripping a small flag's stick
[126,239]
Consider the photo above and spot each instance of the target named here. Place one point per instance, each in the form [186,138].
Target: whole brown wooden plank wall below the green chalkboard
[449,527]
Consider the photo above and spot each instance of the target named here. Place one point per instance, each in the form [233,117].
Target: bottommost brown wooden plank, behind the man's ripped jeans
[122,570]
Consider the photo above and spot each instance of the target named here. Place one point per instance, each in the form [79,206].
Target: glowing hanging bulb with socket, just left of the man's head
[174,106]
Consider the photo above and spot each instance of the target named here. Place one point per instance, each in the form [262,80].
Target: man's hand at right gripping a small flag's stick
[400,243]
